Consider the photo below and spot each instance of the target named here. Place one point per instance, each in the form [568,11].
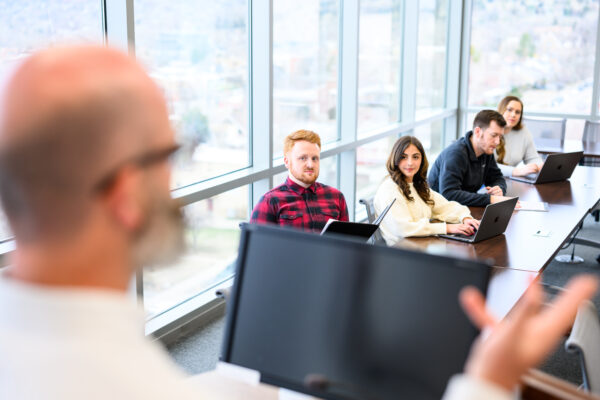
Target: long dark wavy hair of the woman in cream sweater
[420,178]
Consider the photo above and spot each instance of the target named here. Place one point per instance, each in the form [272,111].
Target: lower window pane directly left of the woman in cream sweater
[370,168]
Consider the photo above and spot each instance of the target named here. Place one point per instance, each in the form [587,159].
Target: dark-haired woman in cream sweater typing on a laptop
[416,204]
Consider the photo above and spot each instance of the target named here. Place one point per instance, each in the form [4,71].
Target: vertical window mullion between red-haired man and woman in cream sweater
[348,97]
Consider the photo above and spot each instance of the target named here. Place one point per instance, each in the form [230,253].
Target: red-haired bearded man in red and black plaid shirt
[301,201]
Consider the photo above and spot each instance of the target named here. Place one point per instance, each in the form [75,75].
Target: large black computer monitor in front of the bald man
[340,319]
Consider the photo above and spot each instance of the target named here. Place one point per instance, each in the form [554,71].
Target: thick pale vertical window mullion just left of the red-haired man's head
[261,92]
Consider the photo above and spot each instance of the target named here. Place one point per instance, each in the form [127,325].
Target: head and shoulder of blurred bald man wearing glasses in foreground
[84,181]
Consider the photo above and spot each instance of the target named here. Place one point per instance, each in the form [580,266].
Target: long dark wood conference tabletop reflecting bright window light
[521,247]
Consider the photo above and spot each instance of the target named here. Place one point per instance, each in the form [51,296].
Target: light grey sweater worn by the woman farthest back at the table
[519,148]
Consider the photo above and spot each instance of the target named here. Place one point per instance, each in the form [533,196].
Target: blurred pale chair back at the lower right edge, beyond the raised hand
[584,340]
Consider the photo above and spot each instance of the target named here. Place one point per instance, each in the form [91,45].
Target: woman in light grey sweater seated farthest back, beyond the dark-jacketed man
[516,146]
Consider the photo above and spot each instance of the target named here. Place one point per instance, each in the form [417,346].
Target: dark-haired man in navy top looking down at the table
[467,164]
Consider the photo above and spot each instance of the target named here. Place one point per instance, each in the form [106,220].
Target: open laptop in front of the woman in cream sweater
[493,223]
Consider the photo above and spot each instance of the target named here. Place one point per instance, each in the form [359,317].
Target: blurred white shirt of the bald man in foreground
[80,344]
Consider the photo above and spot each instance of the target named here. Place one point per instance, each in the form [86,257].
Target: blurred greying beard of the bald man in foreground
[160,241]
